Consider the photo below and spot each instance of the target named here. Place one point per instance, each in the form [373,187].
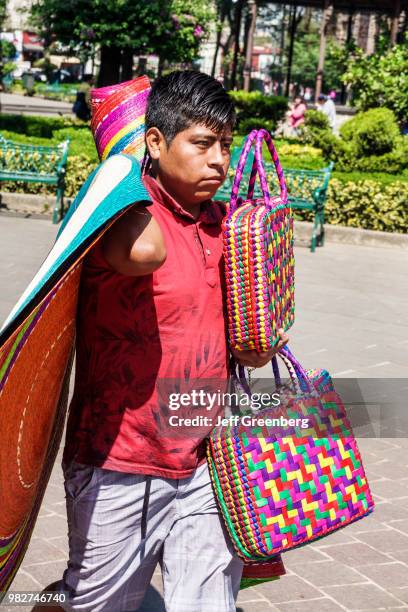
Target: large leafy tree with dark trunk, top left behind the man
[171,29]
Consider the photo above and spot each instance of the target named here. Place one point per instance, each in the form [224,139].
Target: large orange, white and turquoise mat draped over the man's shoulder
[36,344]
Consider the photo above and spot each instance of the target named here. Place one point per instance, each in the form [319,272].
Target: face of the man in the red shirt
[195,164]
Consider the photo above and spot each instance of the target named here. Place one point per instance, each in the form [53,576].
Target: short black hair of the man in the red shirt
[184,97]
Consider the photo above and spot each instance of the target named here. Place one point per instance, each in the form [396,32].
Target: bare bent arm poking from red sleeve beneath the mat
[134,245]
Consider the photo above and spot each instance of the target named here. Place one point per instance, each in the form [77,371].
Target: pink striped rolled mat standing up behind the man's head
[118,118]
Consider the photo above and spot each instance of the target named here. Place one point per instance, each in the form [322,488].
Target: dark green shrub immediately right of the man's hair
[255,105]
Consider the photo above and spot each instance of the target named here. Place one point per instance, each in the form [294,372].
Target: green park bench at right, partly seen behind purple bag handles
[307,190]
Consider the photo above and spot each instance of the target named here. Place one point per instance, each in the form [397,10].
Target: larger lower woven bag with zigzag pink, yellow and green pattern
[279,488]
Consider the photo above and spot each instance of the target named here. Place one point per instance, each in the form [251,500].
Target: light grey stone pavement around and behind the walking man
[351,318]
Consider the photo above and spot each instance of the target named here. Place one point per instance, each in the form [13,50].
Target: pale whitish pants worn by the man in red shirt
[110,563]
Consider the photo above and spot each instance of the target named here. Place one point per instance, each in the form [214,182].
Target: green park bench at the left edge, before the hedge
[36,164]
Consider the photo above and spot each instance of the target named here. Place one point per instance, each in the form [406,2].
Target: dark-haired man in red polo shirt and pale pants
[151,309]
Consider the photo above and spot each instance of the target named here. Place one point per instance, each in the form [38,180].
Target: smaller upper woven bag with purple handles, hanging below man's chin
[258,256]
